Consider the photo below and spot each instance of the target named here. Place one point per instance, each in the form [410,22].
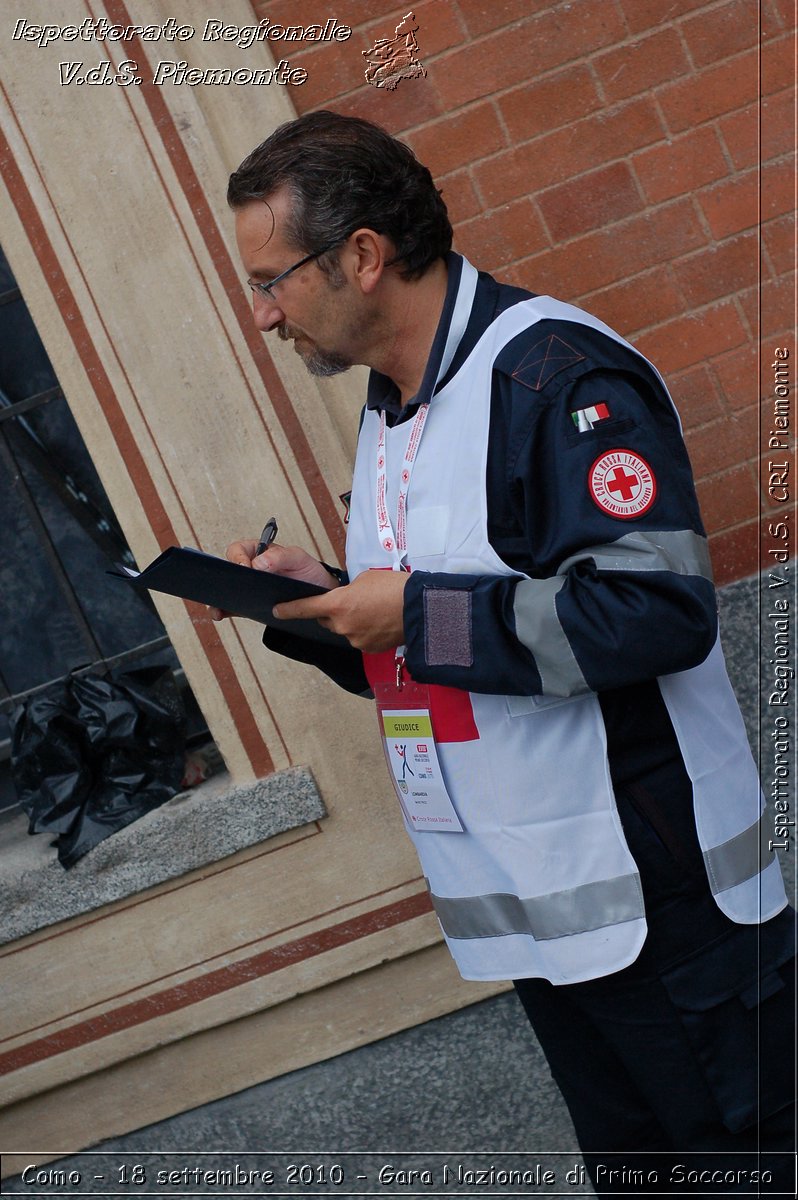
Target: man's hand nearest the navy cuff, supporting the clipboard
[368,613]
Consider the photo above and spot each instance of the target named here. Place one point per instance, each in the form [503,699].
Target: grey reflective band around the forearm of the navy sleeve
[538,627]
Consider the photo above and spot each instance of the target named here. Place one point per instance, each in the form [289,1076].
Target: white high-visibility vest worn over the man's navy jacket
[542,883]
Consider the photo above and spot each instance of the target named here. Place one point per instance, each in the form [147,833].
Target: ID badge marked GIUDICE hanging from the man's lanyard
[412,758]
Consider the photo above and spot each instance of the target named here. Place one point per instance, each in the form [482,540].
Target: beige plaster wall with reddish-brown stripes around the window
[115,221]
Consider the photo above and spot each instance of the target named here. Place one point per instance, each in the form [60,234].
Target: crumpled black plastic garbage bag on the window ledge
[94,753]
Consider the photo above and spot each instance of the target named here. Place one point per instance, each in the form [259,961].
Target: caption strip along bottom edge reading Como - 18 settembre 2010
[353,1174]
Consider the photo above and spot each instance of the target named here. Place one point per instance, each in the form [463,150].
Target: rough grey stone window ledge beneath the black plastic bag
[195,829]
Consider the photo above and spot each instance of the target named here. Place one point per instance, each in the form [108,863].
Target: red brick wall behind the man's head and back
[625,155]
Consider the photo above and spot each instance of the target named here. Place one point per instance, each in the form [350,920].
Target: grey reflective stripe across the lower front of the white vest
[557,915]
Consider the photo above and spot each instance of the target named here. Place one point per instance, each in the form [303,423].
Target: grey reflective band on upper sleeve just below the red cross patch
[680,551]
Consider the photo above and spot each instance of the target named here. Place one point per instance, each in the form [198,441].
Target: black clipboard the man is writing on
[241,591]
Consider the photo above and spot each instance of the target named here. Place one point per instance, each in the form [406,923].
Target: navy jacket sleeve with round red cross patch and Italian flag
[617,586]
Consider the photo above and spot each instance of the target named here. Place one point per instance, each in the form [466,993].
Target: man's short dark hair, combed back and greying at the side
[346,173]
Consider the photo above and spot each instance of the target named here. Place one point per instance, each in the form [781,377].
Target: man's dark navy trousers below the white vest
[685,1063]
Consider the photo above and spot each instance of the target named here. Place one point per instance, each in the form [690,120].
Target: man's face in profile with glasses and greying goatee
[311,309]
